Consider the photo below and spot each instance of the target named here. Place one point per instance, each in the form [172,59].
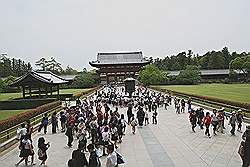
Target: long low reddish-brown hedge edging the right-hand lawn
[212,99]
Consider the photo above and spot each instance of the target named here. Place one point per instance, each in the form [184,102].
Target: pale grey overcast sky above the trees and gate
[73,31]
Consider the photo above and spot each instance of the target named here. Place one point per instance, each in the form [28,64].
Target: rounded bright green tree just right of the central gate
[151,75]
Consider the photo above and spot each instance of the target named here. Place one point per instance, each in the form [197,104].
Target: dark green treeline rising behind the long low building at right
[210,60]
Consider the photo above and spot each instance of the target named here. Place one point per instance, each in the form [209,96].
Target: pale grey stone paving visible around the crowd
[169,143]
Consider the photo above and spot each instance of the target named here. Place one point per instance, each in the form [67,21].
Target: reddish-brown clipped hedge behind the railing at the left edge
[22,117]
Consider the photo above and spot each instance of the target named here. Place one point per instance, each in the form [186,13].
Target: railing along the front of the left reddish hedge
[11,132]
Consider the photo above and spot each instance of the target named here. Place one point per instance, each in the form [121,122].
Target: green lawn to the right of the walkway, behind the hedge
[233,92]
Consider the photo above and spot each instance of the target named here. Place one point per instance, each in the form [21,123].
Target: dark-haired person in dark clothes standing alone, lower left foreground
[42,150]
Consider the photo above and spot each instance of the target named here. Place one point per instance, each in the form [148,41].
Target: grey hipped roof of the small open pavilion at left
[45,77]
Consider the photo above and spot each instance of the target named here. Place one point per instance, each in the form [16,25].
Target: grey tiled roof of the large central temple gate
[119,58]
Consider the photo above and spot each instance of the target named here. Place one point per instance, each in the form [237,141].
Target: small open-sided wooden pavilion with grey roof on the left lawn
[42,82]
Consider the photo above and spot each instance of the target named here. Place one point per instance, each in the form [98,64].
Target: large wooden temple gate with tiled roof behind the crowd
[115,67]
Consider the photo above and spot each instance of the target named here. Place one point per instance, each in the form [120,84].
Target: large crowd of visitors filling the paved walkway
[99,126]
